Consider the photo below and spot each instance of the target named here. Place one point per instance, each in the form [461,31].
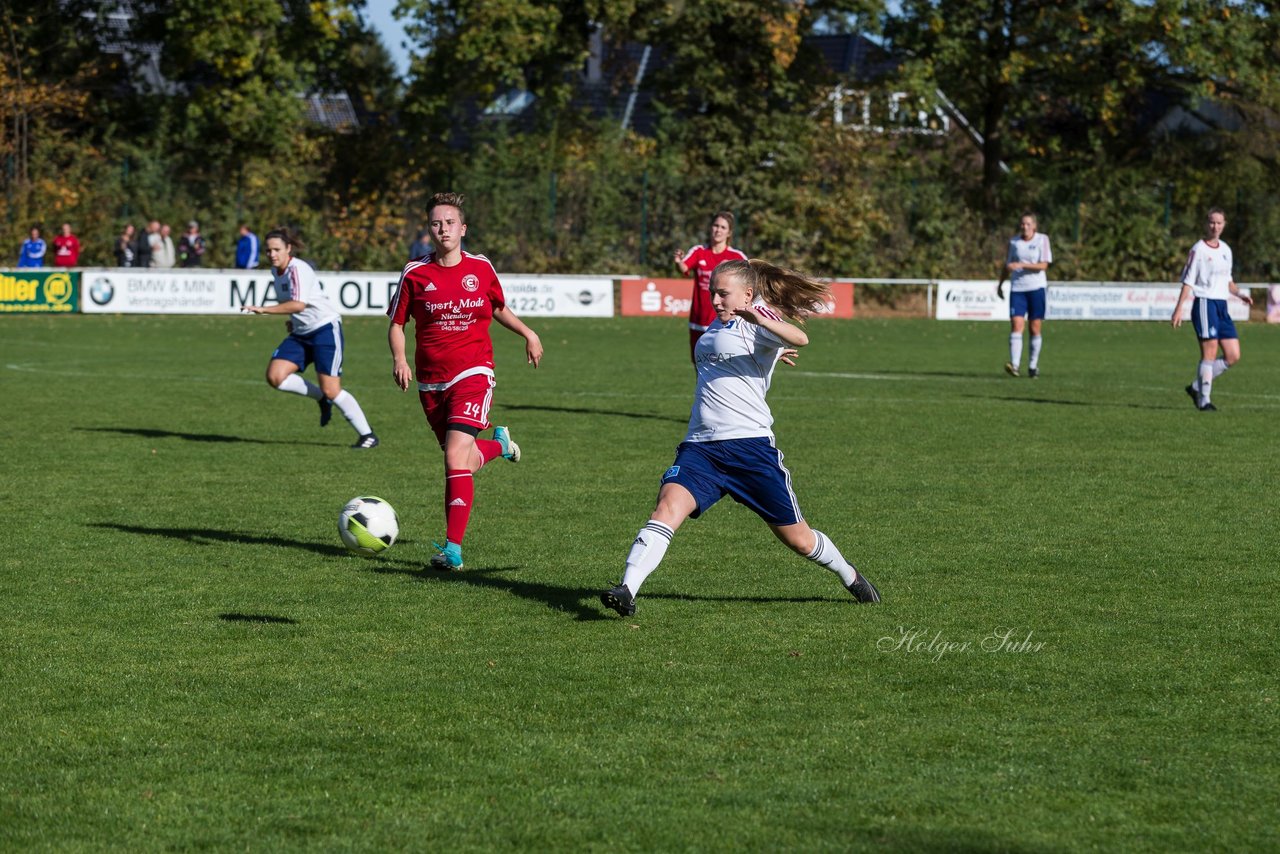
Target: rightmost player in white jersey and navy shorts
[1208,277]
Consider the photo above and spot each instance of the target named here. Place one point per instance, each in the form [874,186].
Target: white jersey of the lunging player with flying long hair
[735,364]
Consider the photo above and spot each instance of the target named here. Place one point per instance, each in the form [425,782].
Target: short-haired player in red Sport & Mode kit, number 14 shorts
[452,296]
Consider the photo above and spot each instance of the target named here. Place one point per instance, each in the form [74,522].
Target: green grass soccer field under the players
[191,661]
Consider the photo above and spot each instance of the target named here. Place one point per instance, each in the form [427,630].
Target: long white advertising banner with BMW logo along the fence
[194,291]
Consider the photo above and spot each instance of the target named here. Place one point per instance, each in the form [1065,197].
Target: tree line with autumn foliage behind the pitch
[1119,124]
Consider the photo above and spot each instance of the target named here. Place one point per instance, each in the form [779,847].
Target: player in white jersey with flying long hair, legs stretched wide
[729,449]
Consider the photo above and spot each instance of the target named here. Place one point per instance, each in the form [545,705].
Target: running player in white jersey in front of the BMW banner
[316,336]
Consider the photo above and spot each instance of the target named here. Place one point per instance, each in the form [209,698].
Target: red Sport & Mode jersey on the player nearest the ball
[452,308]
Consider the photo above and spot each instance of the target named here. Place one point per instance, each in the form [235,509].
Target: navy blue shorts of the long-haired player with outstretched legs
[749,472]
